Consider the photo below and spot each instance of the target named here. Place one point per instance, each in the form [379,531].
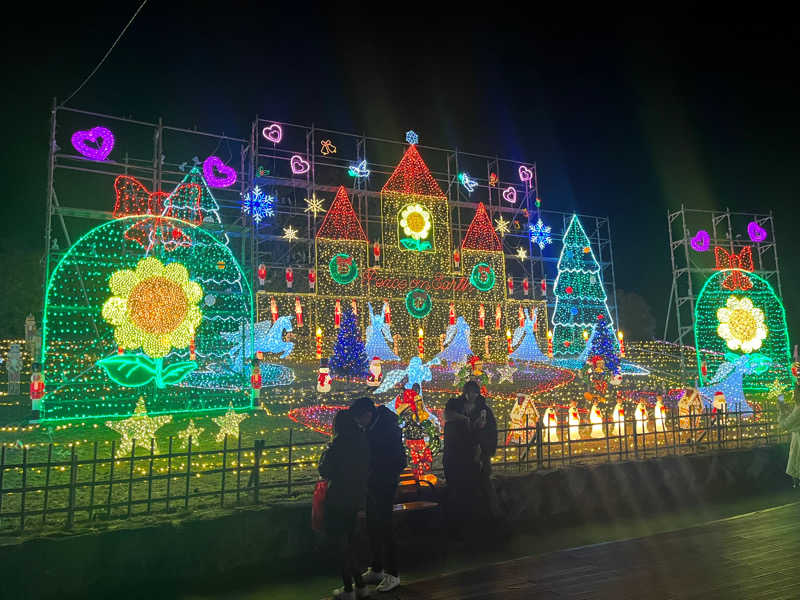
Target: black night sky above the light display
[623,119]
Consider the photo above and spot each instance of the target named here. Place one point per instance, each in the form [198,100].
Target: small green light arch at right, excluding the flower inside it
[712,347]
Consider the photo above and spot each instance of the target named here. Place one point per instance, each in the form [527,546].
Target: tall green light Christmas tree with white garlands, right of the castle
[579,291]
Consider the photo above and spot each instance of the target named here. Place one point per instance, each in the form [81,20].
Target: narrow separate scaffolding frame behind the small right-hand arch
[690,268]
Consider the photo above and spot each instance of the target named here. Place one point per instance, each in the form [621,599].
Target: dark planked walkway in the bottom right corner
[751,556]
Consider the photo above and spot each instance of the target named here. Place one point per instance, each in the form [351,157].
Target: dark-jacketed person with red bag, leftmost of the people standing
[345,465]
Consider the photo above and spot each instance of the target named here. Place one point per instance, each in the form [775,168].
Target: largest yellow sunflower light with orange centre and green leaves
[153,307]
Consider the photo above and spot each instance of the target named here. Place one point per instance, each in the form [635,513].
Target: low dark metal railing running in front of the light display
[40,488]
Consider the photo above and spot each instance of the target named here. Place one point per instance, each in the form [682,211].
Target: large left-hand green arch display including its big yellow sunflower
[104,294]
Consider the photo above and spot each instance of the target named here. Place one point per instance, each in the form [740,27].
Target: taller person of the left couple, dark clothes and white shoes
[387,461]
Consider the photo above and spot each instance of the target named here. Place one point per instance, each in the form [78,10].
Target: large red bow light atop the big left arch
[133,199]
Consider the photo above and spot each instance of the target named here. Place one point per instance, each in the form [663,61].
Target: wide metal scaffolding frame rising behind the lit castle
[79,191]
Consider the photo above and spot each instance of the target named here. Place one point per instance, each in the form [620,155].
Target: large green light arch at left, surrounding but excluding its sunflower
[210,391]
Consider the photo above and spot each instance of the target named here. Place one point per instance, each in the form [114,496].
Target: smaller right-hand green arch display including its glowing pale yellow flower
[754,320]
